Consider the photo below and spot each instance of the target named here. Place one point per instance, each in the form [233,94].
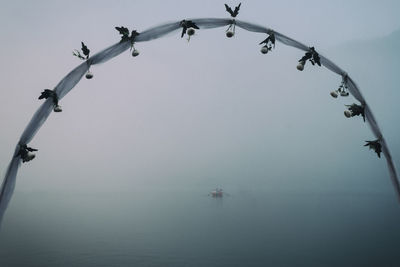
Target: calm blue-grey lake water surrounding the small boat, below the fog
[189,228]
